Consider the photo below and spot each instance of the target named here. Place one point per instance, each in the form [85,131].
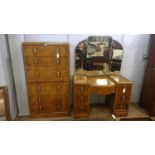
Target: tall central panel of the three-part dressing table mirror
[98,53]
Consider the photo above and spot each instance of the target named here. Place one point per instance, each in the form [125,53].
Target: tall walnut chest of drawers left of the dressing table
[47,76]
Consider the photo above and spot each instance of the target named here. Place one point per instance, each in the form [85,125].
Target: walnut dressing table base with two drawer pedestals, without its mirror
[116,88]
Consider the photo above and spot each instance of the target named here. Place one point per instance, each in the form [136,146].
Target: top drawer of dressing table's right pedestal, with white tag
[124,89]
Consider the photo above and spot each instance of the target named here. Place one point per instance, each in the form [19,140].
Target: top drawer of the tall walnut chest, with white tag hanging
[50,50]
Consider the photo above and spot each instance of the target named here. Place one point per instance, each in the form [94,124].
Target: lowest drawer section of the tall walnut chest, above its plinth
[48,103]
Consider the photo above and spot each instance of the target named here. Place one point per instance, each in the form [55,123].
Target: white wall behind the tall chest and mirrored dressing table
[133,65]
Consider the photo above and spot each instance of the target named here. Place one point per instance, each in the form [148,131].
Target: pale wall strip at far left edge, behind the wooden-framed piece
[6,75]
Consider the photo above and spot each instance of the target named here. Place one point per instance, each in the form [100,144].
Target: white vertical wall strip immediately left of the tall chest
[15,43]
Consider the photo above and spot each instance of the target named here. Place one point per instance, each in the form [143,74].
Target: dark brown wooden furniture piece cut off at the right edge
[148,91]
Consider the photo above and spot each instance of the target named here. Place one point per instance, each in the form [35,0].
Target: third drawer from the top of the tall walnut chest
[42,74]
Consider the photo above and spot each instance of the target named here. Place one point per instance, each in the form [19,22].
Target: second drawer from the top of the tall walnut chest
[62,62]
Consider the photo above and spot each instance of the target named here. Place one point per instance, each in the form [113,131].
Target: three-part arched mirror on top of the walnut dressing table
[98,53]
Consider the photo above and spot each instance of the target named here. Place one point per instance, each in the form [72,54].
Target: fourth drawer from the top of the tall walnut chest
[45,88]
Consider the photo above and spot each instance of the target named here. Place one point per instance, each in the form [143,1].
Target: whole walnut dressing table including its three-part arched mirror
[97,71]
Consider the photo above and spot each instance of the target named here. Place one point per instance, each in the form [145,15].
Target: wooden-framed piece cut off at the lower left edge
[4,104]
